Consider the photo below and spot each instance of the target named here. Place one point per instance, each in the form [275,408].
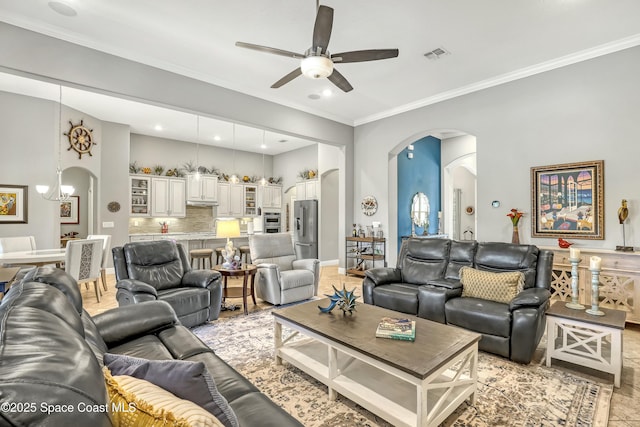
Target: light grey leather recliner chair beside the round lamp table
[281,278]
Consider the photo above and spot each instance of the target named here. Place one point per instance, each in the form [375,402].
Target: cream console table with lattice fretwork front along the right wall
[619,279]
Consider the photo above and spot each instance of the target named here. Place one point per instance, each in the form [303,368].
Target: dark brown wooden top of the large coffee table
[434,345]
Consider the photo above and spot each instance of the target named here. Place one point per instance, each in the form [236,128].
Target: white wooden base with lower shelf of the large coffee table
[395,395]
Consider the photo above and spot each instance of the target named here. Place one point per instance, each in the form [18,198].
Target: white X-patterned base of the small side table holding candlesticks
[586,344]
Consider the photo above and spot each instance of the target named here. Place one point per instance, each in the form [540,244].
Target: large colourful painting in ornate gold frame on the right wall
[568,200]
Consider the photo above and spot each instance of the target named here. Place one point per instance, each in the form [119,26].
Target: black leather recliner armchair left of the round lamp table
[160,270]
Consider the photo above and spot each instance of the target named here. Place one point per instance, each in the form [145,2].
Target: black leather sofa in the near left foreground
[51,356]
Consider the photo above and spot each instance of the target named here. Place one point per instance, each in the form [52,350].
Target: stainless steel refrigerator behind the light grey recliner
[305,229]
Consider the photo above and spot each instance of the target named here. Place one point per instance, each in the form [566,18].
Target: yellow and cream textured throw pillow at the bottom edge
[138,403]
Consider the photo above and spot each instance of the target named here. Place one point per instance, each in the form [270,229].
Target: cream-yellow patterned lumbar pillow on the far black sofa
[499,287]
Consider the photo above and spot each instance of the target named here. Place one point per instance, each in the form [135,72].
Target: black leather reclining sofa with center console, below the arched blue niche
[426,282]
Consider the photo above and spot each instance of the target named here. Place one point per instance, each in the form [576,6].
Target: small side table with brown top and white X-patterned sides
[581,338]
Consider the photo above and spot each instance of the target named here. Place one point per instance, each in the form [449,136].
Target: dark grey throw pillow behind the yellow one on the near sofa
[186,379]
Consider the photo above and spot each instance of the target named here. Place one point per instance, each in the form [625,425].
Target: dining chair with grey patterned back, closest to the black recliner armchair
[83,260]
